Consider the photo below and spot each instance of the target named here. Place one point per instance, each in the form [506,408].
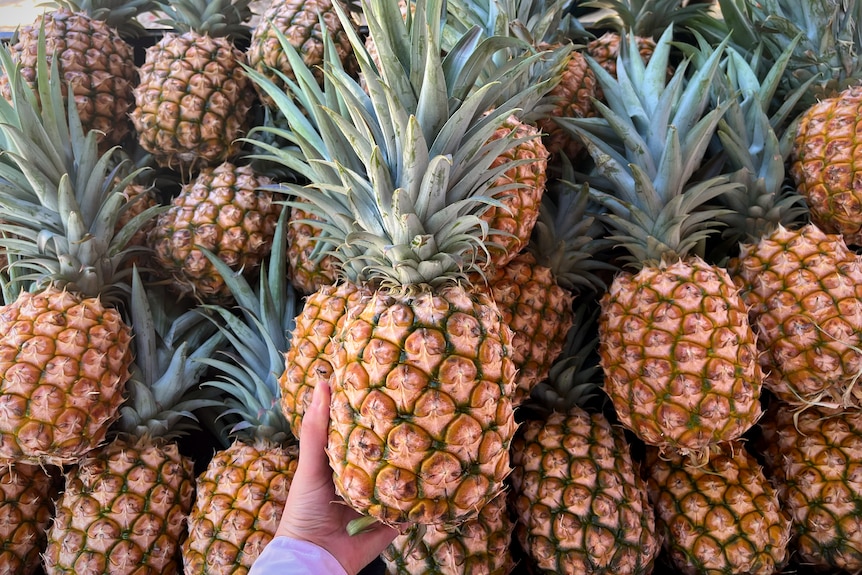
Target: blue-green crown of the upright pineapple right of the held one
[649,141]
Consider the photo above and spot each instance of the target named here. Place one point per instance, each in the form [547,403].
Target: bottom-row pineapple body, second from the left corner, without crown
[123,510]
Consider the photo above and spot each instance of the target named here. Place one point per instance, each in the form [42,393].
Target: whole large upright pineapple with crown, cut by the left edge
[65,351]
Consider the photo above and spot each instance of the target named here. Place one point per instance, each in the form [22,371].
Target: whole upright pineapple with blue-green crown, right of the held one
[680,358]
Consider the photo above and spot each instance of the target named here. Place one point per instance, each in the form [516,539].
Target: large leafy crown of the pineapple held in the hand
[402,171]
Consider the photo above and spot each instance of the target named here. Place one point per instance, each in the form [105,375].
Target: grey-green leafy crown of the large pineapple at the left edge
[60,199]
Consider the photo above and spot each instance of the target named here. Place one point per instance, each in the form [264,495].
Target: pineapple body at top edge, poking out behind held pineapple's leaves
[299,22]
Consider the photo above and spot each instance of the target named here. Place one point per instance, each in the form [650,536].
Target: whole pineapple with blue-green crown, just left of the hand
[241,494]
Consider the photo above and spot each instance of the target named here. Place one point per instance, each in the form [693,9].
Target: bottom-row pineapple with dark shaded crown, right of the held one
[579,501]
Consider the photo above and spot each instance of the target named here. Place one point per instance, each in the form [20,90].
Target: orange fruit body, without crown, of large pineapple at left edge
[64,363]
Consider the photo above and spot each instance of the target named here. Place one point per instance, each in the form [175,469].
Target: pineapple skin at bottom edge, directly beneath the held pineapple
[478,546]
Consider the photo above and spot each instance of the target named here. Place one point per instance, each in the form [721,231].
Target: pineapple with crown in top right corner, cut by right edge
[824,41]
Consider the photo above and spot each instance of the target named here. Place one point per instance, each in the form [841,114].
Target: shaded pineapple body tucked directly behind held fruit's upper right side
[538,311]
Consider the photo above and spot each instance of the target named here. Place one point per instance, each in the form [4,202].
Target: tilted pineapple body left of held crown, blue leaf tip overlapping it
[223,210]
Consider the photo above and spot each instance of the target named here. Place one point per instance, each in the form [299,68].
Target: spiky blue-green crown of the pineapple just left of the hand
[258,335]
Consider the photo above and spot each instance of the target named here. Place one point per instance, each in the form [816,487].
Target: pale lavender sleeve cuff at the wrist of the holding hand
[286,556]
